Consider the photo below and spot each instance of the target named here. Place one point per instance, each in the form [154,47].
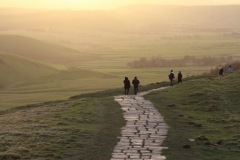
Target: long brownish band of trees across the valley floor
[180,62]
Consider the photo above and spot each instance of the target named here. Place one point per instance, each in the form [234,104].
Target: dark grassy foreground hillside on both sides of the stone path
[202,113]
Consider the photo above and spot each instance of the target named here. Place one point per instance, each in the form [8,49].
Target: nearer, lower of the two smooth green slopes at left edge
[15,69]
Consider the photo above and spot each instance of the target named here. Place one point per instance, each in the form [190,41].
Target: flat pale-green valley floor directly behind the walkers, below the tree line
[64,84]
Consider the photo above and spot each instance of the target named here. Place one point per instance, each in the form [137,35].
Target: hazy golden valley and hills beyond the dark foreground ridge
[51,55]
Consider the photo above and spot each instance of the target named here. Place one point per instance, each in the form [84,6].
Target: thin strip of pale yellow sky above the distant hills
[103,4]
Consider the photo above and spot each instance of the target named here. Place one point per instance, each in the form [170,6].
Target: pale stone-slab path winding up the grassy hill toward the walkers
[144,133]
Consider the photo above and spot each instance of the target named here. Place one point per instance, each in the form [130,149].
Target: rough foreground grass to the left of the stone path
[84,128]
